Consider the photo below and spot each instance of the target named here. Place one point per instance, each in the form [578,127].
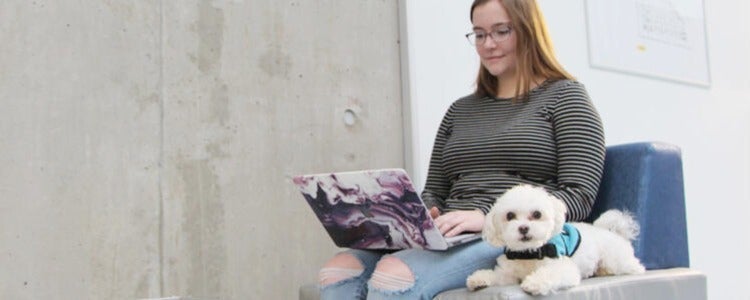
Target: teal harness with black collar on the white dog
[563,244]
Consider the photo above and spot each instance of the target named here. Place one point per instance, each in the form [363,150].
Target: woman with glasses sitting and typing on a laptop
[527,122]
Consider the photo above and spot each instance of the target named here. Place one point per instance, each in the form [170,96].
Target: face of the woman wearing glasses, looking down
[491,20]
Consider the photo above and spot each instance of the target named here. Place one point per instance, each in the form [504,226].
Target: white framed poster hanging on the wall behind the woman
[663,39]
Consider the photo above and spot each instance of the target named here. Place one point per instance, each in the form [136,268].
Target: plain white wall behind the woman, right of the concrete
[709,124]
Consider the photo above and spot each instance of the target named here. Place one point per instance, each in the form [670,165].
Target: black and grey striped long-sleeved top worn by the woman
[485,146]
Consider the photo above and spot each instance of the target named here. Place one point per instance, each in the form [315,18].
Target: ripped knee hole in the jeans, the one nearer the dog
[392,274]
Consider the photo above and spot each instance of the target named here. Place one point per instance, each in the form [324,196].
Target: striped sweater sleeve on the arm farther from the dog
[437,185]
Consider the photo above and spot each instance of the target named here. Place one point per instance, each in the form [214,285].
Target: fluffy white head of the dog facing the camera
[524,218]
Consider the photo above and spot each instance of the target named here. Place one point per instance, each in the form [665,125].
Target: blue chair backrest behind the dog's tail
[646,179]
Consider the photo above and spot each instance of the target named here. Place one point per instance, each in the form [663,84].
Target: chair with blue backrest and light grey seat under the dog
[645,179]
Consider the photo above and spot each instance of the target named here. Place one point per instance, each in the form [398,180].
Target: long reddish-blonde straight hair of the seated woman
[536,57]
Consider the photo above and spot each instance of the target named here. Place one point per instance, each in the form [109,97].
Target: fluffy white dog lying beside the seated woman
[543,253]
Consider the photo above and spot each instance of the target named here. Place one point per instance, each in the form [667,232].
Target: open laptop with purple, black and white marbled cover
[374,209]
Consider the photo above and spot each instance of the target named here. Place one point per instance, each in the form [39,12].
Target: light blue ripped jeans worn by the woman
[434,272]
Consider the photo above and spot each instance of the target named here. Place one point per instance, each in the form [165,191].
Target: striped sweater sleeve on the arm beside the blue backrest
[580,150]
